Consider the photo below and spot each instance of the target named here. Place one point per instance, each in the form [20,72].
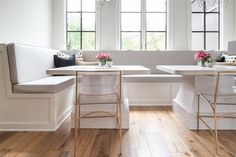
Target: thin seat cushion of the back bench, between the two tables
[152,78]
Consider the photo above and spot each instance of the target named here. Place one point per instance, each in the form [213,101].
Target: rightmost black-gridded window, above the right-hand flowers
[205,26]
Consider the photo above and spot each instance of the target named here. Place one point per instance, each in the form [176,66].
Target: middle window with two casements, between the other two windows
[143,25]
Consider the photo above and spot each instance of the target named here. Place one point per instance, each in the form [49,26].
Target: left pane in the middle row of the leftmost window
[73,21]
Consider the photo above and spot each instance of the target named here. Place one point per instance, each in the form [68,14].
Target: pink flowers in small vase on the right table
[203,57]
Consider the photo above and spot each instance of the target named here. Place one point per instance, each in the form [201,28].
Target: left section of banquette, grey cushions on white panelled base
[30,99]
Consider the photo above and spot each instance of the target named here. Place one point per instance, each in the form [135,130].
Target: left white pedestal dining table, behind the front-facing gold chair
[99,123]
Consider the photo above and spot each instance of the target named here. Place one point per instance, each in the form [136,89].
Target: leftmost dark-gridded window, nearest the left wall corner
[81,24]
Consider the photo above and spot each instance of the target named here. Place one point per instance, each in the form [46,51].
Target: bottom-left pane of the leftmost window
[73,40]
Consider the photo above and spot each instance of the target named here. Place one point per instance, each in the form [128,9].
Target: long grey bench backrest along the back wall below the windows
[149,59]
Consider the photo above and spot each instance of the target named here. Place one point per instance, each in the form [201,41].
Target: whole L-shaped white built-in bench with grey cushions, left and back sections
[32,100]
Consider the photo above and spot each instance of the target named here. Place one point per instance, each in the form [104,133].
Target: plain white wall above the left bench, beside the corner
[26,21]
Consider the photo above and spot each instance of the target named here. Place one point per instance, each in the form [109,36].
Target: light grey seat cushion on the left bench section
[51,84]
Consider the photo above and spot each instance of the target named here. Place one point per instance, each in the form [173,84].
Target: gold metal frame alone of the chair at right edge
[213,104]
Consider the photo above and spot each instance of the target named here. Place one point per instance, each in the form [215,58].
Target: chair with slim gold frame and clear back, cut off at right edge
[212,99]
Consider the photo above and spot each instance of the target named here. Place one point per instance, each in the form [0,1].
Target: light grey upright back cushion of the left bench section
[28,63]
